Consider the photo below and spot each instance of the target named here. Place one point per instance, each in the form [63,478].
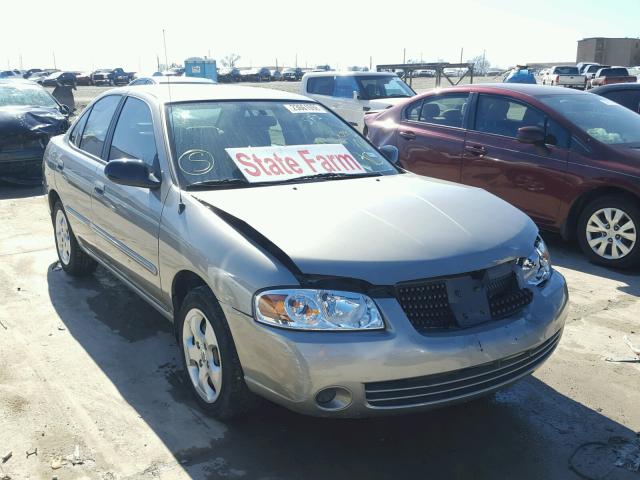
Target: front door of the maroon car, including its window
[530,177]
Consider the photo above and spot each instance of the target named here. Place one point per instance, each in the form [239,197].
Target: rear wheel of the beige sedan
[73,259]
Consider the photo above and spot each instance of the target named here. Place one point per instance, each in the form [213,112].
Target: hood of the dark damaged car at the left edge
[30,121]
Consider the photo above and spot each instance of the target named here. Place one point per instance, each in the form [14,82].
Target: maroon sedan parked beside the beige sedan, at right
[569,159]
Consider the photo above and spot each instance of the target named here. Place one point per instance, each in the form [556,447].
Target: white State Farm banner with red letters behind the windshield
[276,163]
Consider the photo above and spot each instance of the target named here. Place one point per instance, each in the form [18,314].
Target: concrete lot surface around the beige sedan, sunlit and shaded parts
[89,378]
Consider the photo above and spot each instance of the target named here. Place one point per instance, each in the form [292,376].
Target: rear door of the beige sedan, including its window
[76,166]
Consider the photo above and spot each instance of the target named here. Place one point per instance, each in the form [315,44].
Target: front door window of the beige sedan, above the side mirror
[133,136]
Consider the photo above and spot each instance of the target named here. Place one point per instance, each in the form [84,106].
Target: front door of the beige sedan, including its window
[127,219]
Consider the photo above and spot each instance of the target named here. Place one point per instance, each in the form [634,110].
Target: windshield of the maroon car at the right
[601,118]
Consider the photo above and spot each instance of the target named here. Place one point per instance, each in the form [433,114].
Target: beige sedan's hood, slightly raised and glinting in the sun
[382,229]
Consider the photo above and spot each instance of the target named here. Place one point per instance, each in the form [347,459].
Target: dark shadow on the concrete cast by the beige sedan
[528,431]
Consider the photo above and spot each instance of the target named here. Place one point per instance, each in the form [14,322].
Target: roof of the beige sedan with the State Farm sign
[191,92]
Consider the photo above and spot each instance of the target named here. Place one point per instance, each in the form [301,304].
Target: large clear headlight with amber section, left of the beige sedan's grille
[317,310]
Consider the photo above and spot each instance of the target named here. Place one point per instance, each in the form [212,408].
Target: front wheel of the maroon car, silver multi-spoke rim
[608,231]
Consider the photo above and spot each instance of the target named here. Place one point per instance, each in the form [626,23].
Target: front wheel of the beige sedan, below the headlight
[210,360]
